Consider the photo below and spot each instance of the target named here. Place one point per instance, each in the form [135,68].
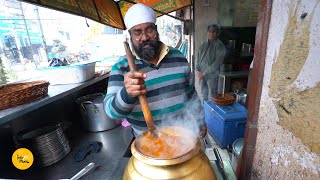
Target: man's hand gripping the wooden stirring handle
[134,83]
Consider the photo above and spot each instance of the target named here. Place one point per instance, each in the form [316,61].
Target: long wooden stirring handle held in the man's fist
[142,98]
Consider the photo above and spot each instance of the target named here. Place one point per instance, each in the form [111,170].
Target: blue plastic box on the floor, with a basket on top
[225,123]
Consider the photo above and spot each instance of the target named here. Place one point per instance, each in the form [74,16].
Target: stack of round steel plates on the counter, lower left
[48,144]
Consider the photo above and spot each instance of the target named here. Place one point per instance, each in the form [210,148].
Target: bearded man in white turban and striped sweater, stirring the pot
[163,75]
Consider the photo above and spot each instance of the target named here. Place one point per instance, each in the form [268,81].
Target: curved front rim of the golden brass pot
[163,162]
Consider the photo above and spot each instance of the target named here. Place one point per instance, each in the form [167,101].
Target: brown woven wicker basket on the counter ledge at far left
[20,93]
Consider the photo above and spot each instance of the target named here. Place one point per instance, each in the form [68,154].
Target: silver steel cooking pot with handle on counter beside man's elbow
[94,118]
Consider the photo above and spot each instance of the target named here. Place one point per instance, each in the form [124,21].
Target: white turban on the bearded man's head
[138,14]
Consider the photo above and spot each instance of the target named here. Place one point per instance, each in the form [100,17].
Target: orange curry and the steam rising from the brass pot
[180,134]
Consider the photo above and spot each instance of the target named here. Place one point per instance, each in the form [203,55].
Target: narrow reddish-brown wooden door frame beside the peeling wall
[255,89]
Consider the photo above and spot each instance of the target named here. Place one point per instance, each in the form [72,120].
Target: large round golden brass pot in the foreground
[194,164]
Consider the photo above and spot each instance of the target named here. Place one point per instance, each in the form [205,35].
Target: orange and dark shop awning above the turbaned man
[108,12]
